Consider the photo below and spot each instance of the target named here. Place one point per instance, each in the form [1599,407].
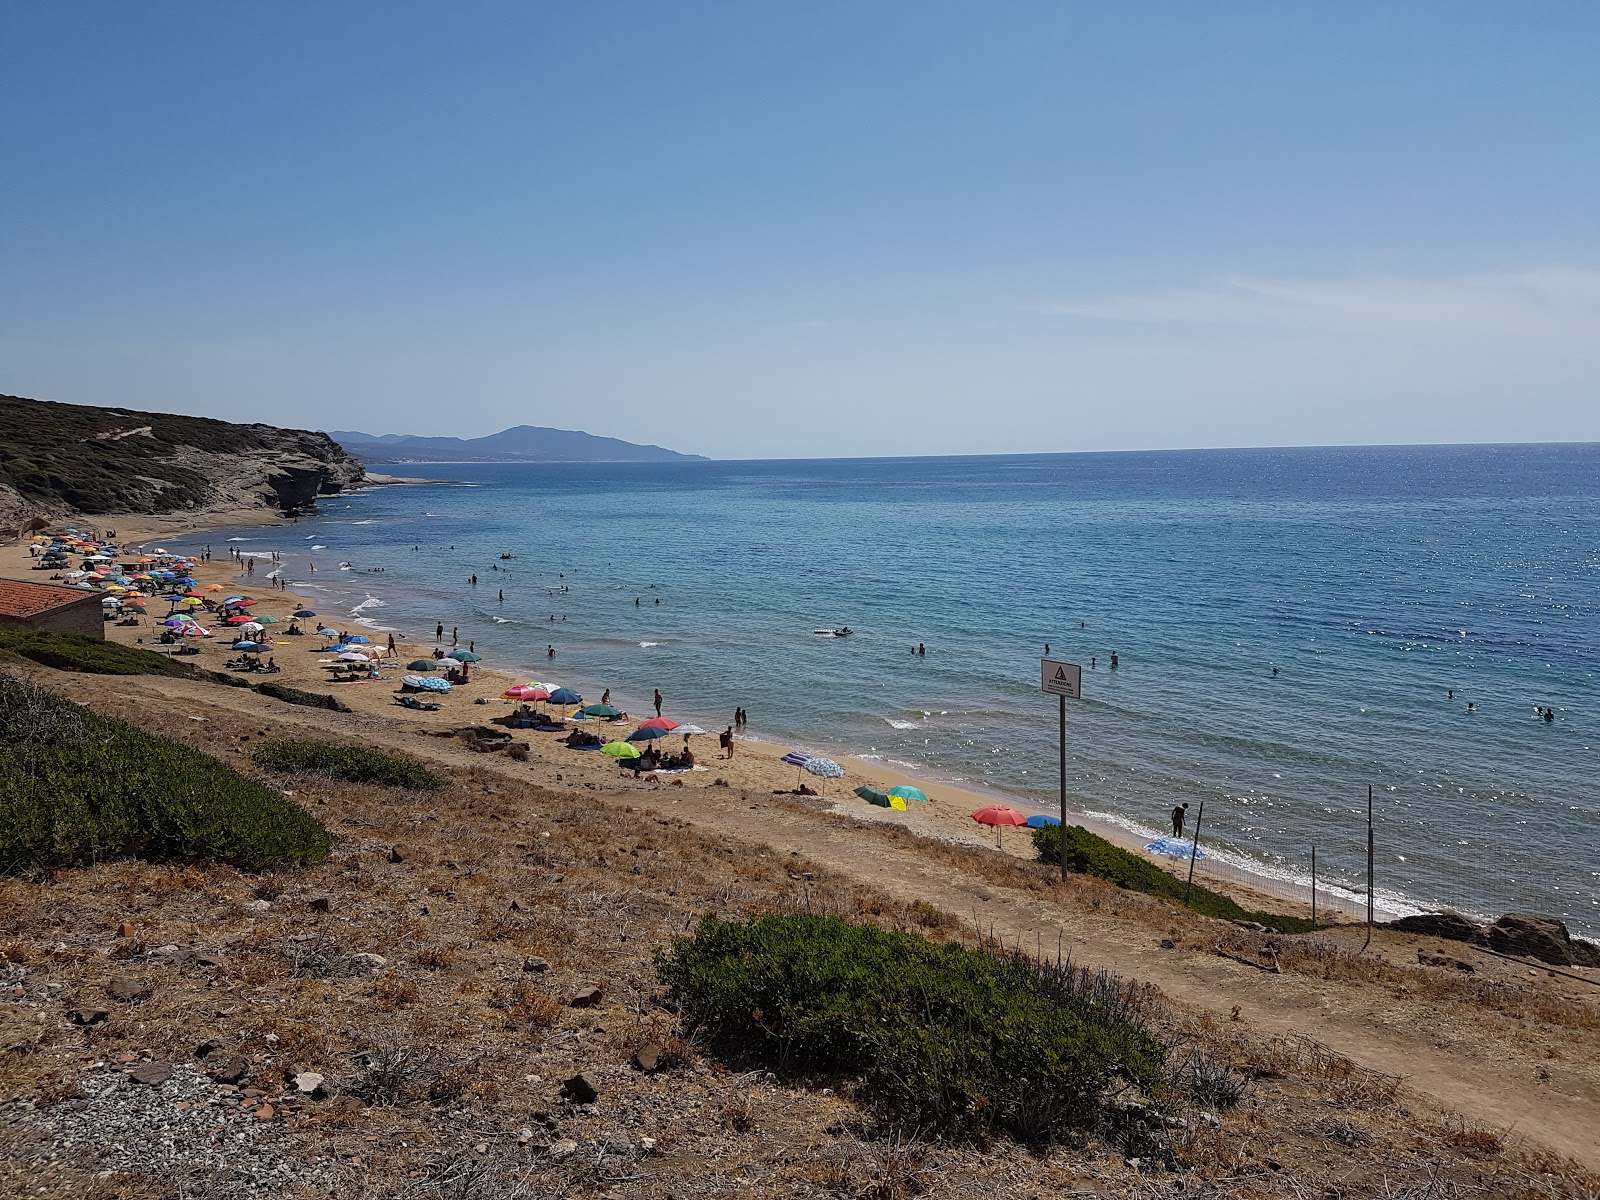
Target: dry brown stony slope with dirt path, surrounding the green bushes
[463,1004]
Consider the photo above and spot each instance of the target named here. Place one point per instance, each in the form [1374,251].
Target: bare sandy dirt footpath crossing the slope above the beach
[1473,1063]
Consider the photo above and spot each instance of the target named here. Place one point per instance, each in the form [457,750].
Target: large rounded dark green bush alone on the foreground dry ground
[938,1036]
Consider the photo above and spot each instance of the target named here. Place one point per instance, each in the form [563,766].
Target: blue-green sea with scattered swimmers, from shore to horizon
[1374,580]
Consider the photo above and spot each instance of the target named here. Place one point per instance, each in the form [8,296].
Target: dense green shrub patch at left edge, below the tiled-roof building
[78,788]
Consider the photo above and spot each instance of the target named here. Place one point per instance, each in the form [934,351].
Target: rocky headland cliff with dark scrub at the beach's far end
[74,460]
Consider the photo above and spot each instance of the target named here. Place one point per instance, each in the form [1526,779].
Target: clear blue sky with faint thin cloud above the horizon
[774,230]
